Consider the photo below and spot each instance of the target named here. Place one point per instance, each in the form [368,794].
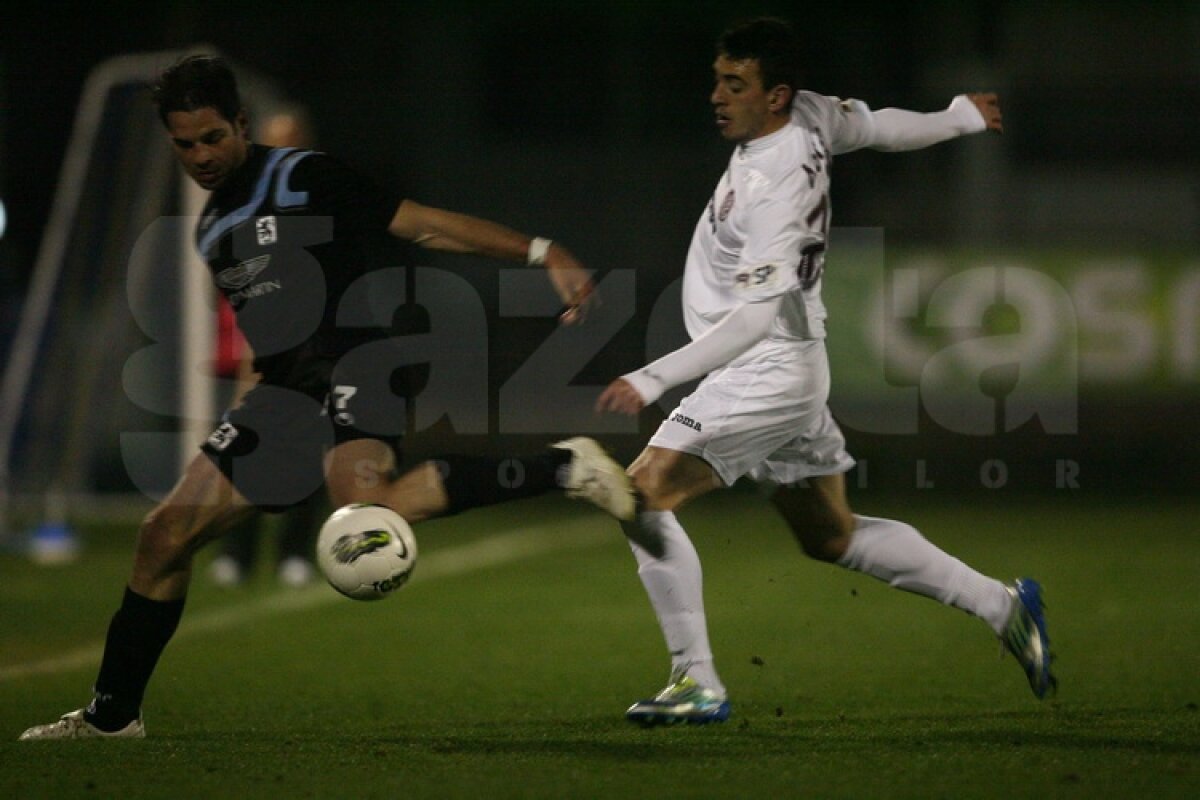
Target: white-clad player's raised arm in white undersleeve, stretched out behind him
[898,130]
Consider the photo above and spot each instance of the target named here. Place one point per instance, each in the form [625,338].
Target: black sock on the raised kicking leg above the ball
[475,482]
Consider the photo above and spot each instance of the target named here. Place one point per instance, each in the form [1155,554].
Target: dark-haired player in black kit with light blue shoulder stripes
[291,237]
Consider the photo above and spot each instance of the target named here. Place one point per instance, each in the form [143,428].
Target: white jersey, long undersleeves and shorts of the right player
[763,412]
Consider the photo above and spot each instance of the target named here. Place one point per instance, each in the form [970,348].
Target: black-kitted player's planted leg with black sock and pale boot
[201,506]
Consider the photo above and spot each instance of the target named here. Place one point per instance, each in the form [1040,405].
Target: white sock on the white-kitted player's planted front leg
[670,570]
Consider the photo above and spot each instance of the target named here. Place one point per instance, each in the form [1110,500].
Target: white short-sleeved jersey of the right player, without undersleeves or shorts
[765,231]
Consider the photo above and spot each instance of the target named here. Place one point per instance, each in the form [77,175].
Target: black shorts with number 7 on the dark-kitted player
[273,446]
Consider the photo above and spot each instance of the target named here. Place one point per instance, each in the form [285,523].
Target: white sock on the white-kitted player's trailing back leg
[897,554]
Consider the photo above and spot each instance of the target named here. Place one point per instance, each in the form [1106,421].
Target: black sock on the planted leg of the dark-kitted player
[140,631]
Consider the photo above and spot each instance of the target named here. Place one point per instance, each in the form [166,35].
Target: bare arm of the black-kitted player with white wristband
[460,233]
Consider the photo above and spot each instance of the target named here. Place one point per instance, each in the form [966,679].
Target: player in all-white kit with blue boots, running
[753,308]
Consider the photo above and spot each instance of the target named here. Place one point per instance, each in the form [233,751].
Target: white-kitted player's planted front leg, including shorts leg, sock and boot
[729,426]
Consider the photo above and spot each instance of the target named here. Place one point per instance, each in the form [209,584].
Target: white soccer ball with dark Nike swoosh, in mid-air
[365,551]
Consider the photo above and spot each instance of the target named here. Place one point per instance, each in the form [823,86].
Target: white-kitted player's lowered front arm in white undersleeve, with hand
[737,333]
